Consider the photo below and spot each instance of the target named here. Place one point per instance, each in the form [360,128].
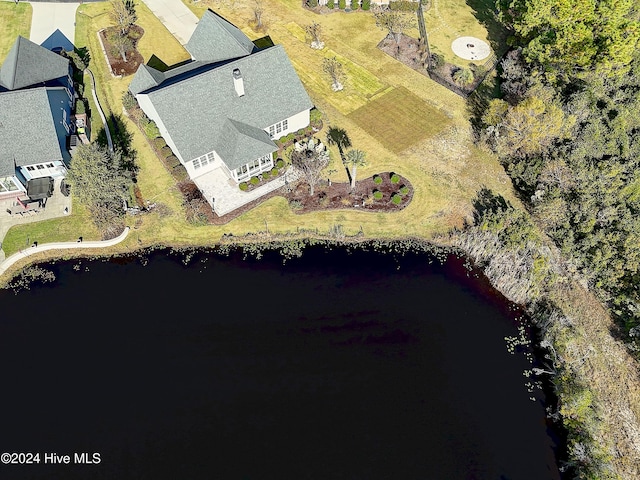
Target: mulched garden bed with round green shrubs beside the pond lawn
[384,192]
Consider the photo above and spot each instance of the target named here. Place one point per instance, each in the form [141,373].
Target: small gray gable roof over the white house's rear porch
[243,142]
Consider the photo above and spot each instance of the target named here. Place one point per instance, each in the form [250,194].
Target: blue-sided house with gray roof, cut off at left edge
[36,100]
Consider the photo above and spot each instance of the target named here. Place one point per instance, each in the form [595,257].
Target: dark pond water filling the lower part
[332,366]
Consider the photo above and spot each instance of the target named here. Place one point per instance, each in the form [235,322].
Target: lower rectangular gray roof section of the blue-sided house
[27,131]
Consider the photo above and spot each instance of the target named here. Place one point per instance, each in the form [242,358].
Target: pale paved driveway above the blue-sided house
[47,17]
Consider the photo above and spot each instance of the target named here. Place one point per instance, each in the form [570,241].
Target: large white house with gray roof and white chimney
[223,109]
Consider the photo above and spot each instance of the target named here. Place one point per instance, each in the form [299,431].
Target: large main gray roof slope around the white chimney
[195,109]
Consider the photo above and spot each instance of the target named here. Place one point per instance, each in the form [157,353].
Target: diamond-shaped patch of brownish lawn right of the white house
[400,119]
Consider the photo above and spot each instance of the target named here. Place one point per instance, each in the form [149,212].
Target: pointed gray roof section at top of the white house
[216,40]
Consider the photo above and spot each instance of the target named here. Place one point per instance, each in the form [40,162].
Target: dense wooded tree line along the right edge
[566,129]
